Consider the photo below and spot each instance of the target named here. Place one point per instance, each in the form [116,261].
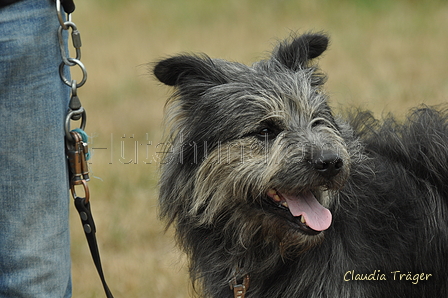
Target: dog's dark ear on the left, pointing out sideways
[182,69]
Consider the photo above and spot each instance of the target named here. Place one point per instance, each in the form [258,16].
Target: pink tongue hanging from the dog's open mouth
[317,217]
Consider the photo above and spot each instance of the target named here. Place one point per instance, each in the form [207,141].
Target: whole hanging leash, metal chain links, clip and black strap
[76,140]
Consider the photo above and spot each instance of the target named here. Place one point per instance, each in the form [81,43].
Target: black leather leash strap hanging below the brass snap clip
[89,229]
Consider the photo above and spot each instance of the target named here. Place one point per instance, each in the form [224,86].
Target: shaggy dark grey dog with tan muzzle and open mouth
[261,181]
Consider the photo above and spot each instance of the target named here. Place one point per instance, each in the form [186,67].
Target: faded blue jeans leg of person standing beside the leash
[34,200]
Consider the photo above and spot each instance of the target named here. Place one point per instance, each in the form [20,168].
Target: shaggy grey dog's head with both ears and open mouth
[255,149]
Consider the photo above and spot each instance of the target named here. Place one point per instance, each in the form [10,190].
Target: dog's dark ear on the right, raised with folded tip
[296,54]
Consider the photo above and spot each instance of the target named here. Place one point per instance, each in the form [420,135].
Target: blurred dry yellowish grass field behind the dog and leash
[384,56]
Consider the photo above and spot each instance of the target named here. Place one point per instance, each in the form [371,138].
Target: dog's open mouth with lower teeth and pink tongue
[312,217]
